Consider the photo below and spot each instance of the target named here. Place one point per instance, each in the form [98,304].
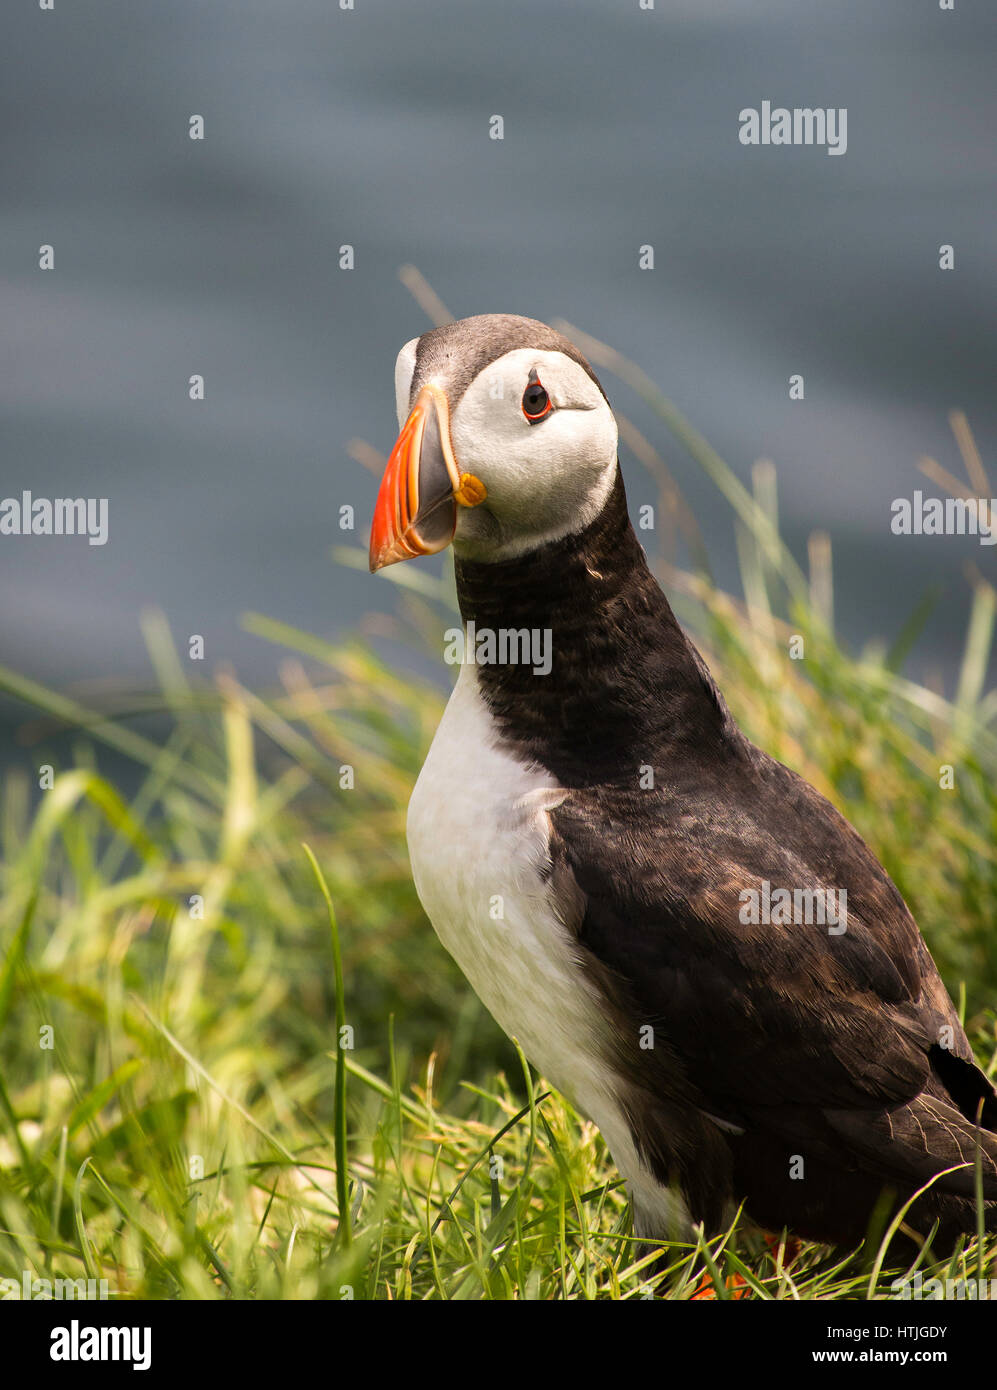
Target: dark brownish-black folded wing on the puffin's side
[846,1039]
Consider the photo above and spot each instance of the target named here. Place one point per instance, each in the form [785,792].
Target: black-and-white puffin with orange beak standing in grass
[618,869]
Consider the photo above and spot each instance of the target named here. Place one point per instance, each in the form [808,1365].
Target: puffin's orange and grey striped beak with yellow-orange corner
[416,509]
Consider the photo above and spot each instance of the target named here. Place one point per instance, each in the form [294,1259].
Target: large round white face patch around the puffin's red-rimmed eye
[544,480]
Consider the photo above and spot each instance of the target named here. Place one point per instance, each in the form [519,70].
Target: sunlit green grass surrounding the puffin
[195,1129]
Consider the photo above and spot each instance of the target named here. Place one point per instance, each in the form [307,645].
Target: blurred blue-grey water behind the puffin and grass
[371,127]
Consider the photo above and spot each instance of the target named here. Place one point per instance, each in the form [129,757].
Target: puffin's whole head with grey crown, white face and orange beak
[508,441]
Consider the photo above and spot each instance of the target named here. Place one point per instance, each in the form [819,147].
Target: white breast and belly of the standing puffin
[479,839]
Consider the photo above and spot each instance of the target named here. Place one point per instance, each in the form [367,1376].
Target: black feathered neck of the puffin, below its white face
[624,687]
